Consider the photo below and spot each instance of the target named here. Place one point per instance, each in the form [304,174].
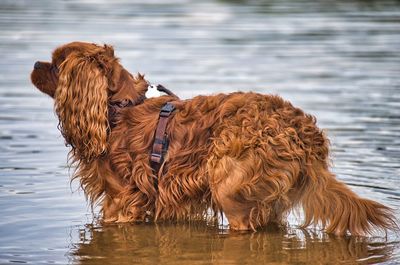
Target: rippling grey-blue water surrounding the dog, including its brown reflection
[338,60]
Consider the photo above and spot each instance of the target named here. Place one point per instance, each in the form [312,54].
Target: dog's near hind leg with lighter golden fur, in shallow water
[248,194]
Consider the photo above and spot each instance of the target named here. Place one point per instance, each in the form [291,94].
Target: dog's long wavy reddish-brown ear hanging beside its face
[81,103]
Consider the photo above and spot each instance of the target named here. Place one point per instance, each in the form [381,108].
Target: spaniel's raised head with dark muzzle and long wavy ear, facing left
[83,79]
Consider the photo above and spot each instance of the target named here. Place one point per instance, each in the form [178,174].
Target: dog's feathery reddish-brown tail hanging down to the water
[329,202]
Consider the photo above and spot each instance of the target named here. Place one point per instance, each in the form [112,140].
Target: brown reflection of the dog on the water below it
[201,244]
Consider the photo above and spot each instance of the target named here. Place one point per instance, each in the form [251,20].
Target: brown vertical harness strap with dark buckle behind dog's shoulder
[160,143]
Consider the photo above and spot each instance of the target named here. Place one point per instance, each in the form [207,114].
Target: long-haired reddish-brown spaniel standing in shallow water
[252,156]
